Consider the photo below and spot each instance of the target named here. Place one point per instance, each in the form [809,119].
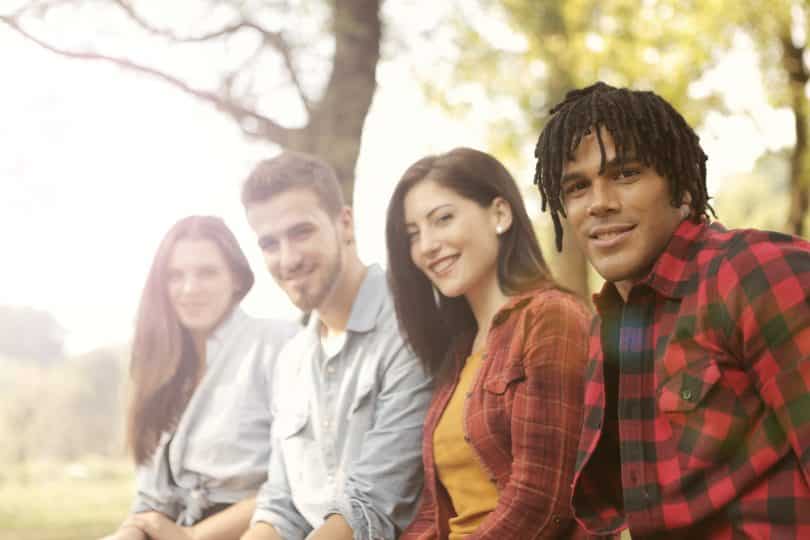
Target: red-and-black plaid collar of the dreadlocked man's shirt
[673,273]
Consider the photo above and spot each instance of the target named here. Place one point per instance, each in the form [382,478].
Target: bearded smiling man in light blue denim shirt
[349,397]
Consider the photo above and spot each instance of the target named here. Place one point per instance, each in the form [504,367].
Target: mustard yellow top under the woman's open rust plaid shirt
[460,471]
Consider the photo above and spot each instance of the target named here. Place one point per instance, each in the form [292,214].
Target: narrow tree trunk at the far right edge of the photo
[793,63]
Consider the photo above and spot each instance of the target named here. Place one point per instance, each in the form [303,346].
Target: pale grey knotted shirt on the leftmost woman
[220,449]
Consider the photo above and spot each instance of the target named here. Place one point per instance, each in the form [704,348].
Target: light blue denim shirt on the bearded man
[348,428]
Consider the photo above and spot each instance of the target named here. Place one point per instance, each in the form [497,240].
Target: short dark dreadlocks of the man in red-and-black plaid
[644,127]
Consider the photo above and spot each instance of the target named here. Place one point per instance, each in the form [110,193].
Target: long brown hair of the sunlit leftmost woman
[164,365]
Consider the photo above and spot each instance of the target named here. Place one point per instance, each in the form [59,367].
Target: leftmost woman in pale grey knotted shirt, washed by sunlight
[199,420]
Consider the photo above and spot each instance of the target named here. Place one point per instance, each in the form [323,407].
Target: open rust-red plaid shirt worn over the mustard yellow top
[523,418]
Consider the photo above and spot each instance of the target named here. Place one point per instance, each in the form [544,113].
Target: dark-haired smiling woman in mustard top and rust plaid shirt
[478,305]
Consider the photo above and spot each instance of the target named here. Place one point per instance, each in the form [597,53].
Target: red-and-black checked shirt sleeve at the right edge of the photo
[767,290]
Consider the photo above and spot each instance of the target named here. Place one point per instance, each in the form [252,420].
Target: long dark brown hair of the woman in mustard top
[428,325]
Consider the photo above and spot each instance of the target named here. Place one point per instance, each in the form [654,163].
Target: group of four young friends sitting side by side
[465,394]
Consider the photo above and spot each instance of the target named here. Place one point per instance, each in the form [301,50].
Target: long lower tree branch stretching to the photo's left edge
[252,123]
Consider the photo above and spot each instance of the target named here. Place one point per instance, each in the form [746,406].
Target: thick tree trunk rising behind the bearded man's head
[335,127]
